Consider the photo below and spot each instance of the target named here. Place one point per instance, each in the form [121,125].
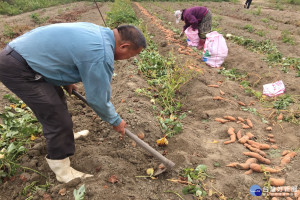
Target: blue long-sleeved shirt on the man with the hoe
[68,53]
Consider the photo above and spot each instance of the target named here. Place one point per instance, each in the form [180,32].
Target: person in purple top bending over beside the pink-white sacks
[198,17]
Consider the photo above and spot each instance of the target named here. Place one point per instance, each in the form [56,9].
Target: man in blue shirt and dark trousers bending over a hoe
[35,65]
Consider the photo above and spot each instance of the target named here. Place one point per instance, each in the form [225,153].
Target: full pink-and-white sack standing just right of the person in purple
[215,49]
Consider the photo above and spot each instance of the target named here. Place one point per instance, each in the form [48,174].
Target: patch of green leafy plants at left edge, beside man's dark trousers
[19,127]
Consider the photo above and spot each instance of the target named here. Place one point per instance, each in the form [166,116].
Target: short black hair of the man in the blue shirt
[129,33]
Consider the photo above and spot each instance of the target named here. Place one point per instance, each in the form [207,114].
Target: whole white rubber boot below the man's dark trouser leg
[64,172]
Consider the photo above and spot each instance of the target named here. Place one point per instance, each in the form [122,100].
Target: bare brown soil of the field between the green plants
[103,154]
